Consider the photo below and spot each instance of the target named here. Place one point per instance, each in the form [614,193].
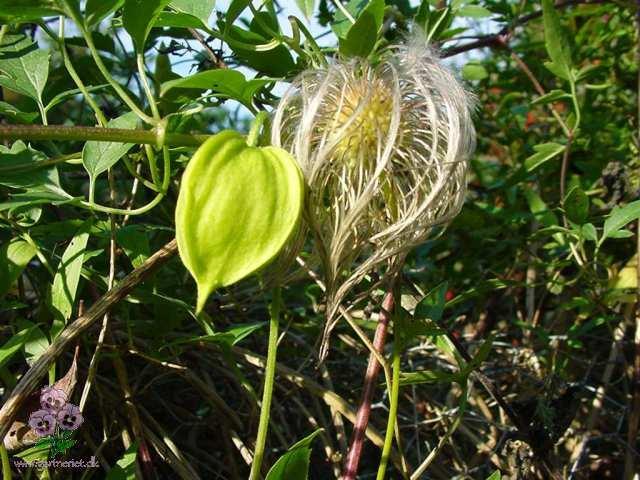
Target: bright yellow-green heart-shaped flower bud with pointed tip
[238,206]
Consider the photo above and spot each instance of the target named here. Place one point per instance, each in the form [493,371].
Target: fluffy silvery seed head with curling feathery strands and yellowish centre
[384,152]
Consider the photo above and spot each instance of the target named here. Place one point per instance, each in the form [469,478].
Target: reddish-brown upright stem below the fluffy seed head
[364,410]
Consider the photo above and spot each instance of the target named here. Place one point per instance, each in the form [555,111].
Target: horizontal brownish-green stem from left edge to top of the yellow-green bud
[83,134]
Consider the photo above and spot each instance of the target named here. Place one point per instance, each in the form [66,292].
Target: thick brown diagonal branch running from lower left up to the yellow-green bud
[30,381]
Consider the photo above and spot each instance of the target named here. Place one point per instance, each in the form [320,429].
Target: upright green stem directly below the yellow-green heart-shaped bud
[267,393]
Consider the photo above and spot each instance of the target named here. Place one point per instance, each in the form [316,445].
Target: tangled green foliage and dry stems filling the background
[516,332]
